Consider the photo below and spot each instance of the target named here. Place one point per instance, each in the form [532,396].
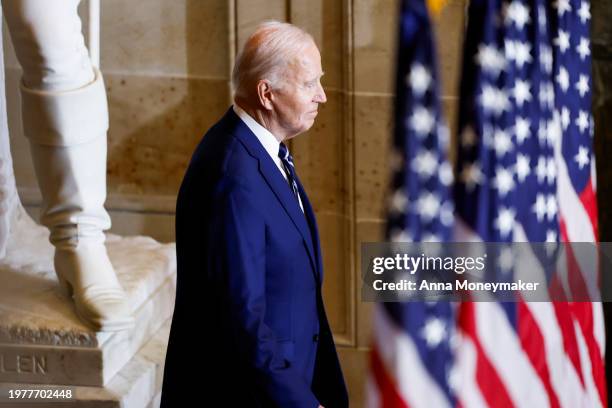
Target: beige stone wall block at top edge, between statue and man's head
[165,38]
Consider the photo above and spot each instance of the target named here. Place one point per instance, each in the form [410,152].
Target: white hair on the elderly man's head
[266,54]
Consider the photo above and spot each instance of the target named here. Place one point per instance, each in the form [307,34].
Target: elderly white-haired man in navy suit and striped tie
[249,327]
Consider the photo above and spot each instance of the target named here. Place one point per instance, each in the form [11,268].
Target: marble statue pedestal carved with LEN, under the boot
[41,339]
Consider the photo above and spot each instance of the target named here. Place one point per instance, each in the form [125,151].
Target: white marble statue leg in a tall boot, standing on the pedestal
[65,118]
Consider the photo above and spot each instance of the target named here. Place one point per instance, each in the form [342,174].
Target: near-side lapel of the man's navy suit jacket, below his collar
[277,184]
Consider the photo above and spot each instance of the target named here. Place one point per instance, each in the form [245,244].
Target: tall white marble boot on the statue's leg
[67,134]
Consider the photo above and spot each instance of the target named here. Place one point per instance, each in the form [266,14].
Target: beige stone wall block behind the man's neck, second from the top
[156,122]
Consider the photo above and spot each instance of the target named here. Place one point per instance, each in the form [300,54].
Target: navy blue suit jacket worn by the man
[249,326]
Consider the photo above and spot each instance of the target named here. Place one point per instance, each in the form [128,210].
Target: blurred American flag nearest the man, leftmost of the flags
[411,358]
